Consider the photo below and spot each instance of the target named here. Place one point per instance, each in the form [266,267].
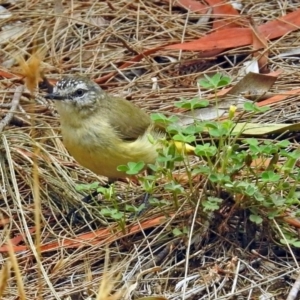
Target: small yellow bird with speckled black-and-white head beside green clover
[101,131]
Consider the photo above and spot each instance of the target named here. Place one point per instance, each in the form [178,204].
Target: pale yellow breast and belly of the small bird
[102,151]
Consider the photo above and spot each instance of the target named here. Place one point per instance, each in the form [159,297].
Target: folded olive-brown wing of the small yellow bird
[129,121]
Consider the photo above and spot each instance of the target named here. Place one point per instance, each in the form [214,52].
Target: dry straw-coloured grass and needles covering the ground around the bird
[38,177]
